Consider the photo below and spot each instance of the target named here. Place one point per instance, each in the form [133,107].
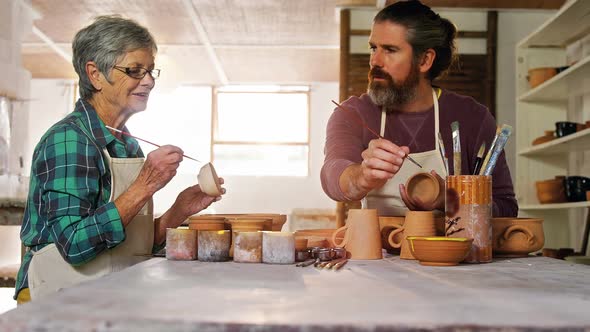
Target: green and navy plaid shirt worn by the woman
[68,202]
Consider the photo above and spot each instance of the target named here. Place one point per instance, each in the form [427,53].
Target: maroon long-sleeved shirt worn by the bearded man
[346,139]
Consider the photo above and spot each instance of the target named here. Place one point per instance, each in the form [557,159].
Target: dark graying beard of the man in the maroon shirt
[391,95]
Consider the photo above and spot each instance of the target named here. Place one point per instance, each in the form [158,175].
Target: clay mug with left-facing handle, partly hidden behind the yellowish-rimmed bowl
[417,223]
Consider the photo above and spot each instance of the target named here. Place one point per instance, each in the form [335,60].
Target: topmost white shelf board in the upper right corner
[571,22]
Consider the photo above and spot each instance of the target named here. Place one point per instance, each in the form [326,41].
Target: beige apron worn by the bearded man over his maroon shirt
[387,199]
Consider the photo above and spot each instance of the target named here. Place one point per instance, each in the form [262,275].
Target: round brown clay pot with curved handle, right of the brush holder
[516,237]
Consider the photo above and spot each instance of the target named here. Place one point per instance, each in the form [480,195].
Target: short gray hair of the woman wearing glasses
[105,41]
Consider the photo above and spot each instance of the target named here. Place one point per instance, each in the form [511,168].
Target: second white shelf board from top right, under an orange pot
[571,82]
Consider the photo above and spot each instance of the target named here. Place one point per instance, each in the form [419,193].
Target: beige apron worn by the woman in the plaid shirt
[49,272]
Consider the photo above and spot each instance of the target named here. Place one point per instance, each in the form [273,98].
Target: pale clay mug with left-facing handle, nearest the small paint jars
[362,238]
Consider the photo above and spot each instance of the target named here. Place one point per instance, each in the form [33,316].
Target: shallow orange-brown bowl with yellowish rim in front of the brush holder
[439,250]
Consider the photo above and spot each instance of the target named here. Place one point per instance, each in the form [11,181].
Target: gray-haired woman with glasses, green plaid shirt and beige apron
[89,209]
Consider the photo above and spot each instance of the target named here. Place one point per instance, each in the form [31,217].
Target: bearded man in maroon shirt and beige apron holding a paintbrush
[410,47]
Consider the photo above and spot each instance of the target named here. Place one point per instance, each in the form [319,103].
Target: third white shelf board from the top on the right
[579,141]
